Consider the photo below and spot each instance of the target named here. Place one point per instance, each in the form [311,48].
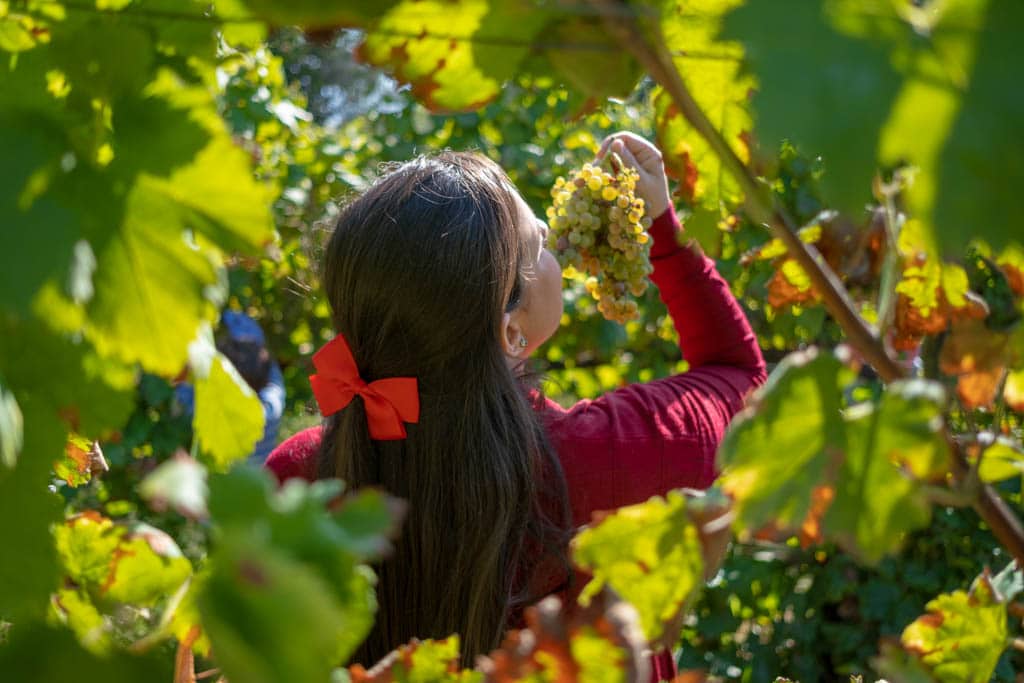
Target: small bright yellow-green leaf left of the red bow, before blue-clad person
[229,418]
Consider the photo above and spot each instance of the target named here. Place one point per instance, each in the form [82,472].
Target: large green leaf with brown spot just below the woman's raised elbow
[851,479]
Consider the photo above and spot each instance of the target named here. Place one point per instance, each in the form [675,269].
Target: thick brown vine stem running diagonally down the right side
[648,46]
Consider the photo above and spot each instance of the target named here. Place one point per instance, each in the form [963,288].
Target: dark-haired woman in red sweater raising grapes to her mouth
[441,287]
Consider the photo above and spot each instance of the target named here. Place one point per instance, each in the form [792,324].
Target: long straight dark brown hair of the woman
[419,271]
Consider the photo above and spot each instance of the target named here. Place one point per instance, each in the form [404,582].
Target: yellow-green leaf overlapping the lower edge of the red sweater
[650,554]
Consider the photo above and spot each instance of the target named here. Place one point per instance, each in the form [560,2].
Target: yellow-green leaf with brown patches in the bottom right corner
[963,635]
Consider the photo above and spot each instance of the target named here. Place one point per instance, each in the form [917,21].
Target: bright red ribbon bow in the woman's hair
[390,402]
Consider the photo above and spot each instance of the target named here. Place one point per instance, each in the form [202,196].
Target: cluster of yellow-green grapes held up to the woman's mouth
[599,229]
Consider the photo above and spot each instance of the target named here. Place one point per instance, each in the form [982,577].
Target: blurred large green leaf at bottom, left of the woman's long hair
[287,565]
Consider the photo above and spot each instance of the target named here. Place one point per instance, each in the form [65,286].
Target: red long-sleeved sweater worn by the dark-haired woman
[642,440]
